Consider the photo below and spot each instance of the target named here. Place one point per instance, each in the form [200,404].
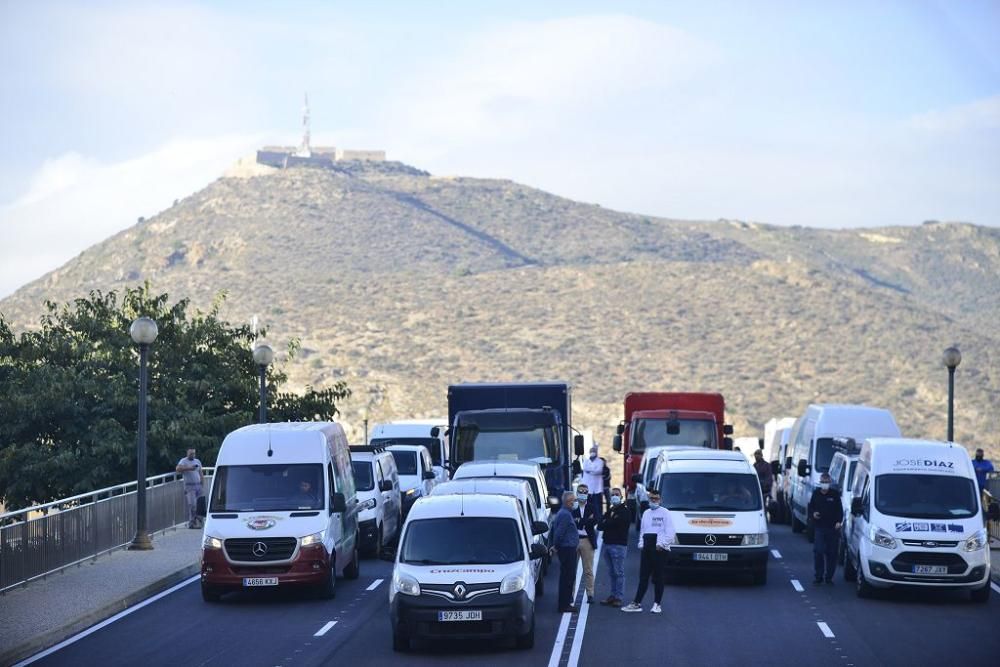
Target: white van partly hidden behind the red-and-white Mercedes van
[380,515]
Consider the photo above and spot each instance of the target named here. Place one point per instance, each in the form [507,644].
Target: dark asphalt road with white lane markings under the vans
[705,622]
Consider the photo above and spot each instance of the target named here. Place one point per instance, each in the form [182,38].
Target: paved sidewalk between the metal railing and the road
[49,610]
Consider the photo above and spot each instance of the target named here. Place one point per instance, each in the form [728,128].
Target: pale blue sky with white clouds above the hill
[849,114]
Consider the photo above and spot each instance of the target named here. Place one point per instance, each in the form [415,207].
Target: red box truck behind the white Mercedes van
[663,419]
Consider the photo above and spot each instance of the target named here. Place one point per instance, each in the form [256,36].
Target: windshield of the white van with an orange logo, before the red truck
[710,491]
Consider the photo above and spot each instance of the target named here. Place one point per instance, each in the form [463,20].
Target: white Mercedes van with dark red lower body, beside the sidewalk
[282,510]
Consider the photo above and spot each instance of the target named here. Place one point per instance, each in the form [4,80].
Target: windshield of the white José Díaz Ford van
[926,496]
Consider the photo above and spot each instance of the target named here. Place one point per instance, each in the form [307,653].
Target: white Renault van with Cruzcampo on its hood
[464,569]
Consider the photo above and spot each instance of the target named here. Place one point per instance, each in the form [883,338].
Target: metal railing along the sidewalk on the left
[43,539]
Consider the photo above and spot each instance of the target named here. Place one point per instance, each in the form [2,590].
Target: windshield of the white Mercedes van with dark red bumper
[258,488]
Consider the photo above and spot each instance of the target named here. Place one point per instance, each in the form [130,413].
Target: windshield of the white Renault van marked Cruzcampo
[462,541]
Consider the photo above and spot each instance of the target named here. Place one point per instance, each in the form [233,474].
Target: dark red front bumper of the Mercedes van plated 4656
[309,567]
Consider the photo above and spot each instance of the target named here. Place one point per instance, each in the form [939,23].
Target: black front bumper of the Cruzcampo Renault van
[507,615]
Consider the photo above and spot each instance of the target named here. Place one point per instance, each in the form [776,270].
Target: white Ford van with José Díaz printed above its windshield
[916,519]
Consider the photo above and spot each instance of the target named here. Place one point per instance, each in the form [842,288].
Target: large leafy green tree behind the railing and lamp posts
[68,392]
